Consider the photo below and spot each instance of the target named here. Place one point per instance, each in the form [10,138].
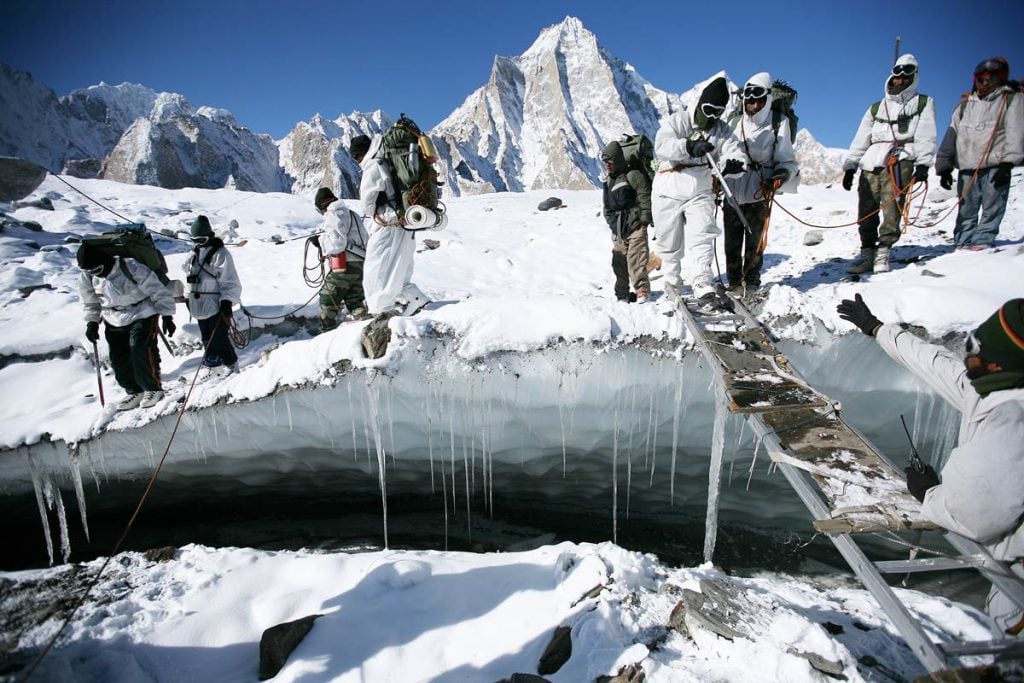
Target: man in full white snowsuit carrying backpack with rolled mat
[388,277]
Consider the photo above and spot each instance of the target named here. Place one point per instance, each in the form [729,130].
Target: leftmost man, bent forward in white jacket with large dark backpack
[130,298]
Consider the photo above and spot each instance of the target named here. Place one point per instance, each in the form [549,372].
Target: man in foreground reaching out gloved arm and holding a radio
[982,495]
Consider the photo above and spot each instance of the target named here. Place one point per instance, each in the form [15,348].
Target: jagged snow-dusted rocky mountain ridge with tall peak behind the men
[541,121]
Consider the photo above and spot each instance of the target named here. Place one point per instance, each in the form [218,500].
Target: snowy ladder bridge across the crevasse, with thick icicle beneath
[846,484]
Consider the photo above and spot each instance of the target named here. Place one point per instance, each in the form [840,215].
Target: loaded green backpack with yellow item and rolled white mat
[410,155]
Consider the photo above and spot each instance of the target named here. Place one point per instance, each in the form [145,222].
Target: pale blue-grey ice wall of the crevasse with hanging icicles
[598,430]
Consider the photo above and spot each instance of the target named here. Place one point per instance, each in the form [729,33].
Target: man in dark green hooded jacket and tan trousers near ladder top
[627,210]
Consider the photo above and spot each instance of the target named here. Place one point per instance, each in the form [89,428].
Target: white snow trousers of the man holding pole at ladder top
[686,228]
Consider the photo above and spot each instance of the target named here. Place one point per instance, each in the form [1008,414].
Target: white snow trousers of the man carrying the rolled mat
[388,272]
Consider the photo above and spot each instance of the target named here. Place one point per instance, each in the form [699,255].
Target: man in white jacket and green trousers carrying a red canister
[345,245]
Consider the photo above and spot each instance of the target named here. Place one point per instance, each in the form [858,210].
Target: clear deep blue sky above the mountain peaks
[276,64]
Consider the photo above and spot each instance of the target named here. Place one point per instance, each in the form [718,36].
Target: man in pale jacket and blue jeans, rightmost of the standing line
[986,141]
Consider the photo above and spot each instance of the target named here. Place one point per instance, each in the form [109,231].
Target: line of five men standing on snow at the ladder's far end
[894,147]
